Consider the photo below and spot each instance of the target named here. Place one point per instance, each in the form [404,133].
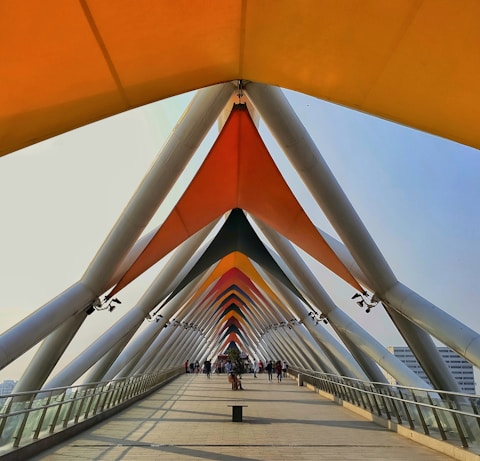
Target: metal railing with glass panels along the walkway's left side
[26,417]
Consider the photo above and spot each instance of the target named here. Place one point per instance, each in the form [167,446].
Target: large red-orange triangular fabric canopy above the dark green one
[237,173]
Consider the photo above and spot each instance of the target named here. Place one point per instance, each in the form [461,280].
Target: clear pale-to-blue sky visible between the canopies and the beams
[417,195]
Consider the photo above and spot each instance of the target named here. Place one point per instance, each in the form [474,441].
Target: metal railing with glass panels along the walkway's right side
[448,416]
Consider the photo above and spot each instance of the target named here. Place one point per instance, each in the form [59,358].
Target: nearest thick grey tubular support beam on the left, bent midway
[202,113]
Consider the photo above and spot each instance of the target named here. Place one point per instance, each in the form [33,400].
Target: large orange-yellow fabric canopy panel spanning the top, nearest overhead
[69,63]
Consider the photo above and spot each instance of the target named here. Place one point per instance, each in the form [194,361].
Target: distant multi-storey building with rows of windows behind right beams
[461,370]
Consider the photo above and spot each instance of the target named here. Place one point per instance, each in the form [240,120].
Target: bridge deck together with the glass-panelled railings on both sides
[182,416]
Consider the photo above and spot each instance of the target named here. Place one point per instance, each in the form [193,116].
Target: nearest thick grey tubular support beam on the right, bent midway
[302,152]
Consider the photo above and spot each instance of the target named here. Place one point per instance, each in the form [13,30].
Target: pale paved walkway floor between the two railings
[189,419]
